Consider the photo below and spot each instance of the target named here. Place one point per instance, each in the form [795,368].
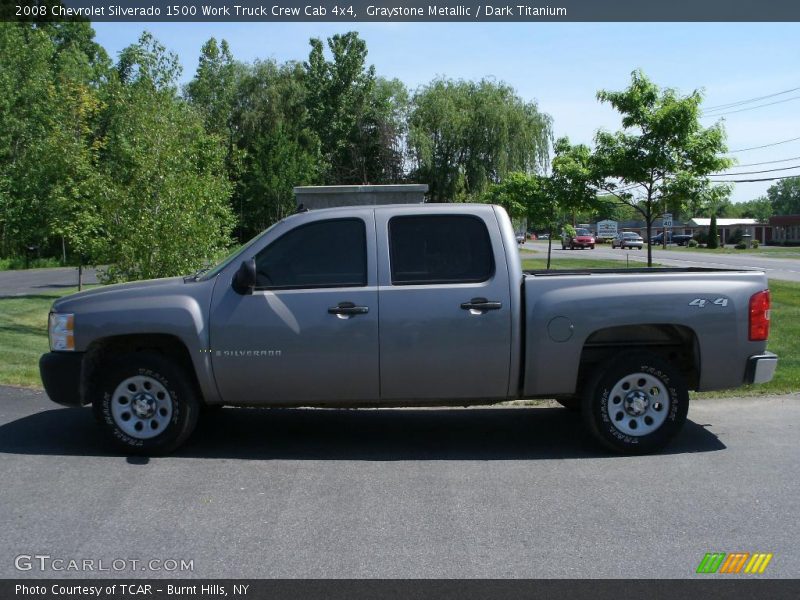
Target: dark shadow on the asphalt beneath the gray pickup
[370,435]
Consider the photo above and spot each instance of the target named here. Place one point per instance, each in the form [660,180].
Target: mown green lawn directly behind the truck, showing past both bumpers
[23,333]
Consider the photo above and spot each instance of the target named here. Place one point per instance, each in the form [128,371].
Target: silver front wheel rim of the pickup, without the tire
[141,407]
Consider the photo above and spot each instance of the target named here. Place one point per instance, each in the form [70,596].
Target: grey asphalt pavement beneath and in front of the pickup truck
[472,493]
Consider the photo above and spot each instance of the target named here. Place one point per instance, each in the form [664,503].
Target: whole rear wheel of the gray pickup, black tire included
[616,422]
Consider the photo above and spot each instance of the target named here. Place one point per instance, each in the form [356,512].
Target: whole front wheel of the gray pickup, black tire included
[168,400]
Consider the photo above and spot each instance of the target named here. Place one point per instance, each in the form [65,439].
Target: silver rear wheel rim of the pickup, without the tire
[638,404]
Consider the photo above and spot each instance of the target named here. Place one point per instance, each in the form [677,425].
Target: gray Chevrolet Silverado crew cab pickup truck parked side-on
[405,305]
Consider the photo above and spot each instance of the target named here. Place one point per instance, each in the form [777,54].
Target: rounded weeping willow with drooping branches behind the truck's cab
[464,136]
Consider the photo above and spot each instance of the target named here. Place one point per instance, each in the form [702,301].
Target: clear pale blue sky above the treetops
[560,66]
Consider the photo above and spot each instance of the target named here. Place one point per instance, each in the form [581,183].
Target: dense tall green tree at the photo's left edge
[49,79]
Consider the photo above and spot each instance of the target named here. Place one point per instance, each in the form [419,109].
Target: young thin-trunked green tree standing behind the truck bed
[662,155]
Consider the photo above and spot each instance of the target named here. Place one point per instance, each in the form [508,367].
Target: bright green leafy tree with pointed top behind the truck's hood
[164,199]
